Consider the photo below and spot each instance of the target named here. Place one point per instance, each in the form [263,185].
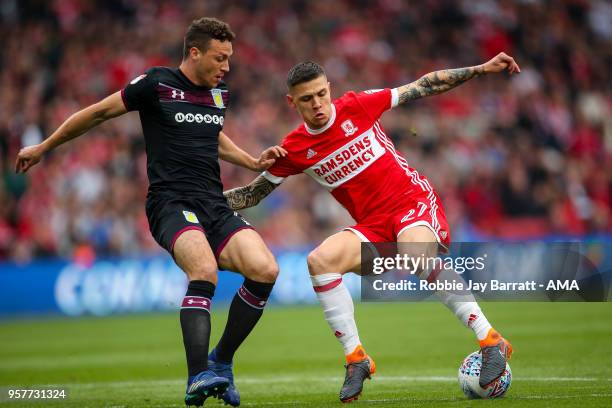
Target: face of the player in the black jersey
[213,64]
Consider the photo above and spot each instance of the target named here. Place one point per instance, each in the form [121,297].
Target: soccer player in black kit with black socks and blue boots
[182,112]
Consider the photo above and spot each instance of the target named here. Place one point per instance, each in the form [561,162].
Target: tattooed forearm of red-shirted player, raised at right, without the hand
[437,82]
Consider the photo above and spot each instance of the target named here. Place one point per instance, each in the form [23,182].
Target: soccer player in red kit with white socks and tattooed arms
[343,147]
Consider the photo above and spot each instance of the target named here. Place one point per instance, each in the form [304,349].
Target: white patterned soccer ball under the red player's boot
[469,373]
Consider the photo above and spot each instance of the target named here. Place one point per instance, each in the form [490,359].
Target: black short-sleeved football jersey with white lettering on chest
[181,123]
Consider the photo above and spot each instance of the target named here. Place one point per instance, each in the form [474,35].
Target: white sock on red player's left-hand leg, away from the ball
[338,308]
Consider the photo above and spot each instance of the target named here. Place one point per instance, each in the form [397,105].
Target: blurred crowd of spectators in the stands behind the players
[512,156]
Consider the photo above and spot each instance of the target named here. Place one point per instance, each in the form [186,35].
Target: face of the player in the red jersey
[312,100]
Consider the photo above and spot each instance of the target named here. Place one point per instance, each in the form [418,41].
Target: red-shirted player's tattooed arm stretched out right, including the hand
[442,81]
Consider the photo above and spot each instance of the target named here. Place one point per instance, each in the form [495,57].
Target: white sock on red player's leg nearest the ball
[463,305]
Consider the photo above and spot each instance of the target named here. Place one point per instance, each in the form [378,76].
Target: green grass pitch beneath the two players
[563,357]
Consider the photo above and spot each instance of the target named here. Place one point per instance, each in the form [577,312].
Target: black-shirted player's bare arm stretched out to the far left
[74,126]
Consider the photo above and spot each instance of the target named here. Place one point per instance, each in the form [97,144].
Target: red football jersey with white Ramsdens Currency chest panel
[353,158]
